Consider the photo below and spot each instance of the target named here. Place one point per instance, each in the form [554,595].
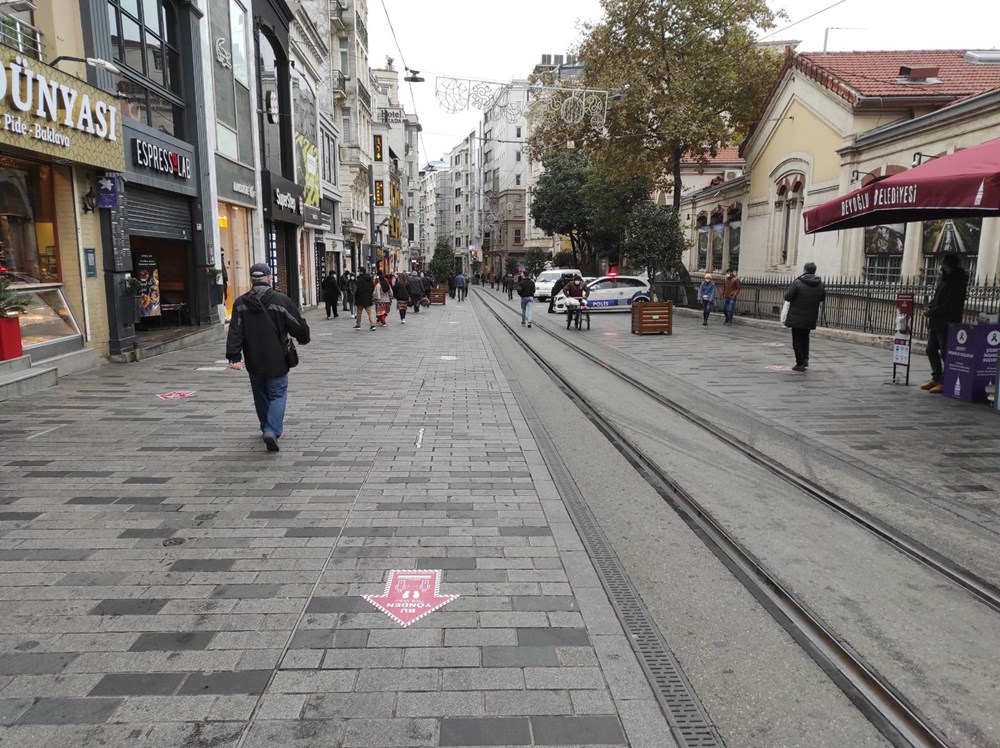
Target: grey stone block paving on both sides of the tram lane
[165,581]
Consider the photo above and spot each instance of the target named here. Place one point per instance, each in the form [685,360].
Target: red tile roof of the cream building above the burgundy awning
[855,75]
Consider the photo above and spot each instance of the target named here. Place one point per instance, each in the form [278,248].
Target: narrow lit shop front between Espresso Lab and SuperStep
[237,202]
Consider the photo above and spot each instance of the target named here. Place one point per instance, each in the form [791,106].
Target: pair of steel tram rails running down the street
[882,704]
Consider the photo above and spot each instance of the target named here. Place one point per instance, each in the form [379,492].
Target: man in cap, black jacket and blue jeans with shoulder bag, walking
[262,320]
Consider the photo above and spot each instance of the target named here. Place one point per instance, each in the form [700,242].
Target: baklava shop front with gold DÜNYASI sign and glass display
[56,135]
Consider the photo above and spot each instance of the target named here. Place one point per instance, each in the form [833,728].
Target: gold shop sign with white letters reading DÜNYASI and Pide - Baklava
[49,112]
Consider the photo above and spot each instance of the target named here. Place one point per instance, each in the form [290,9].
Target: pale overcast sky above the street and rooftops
[463,39]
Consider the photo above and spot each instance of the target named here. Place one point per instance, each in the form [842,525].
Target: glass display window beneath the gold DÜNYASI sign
[28,240]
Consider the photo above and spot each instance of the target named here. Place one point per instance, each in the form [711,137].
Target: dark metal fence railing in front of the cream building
[851,304]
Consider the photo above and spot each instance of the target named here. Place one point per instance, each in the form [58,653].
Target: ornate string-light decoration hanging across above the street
[571,104]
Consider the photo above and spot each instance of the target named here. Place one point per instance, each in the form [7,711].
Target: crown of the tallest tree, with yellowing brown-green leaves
[687,77]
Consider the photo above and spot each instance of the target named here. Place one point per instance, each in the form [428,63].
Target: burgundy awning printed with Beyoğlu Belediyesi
[964,183]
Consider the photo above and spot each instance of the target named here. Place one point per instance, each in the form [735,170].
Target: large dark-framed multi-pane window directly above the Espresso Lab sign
[144,46]
